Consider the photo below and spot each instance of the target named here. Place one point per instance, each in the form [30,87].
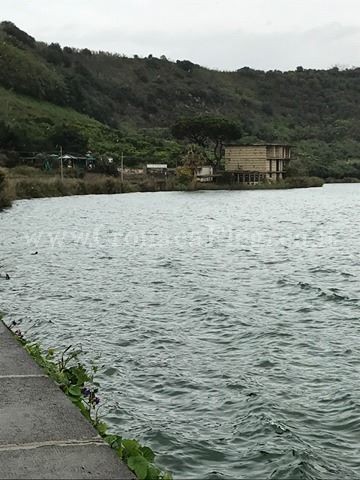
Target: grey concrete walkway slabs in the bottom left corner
[42,434]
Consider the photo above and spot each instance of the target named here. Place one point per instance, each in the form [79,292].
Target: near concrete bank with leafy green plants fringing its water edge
[68,397]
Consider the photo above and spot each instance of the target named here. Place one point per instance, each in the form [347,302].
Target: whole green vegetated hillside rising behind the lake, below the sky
[130,104]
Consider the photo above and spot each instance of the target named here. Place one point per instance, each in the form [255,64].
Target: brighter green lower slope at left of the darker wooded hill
[33,122]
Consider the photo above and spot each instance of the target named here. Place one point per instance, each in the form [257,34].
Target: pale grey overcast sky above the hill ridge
[223,34]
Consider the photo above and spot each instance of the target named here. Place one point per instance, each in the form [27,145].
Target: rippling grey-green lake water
[228,323]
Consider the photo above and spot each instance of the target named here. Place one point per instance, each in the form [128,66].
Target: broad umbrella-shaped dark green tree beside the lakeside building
[208,131]
